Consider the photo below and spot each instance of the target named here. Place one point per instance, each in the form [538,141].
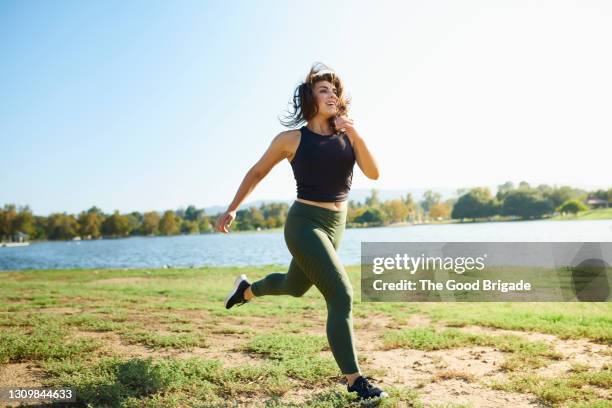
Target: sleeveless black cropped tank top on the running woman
[323,166]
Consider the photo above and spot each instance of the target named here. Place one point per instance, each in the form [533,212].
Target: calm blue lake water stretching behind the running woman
[262,248]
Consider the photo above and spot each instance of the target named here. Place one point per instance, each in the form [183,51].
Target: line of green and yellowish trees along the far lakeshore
[512,202]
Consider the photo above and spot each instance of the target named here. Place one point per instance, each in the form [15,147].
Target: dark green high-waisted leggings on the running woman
[312,235]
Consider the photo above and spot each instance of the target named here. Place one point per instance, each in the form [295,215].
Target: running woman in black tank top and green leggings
[322,154]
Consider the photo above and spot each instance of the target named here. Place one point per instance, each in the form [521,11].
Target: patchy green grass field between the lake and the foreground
[162,338]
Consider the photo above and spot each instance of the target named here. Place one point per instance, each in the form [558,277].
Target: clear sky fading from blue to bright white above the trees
[156,105]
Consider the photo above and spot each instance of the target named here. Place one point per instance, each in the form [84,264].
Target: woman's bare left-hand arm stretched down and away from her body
[277,151]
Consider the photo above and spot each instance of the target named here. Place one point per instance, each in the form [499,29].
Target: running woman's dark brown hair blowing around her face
[304,102]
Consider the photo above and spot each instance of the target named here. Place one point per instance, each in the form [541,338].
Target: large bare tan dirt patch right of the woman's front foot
[421,370]
